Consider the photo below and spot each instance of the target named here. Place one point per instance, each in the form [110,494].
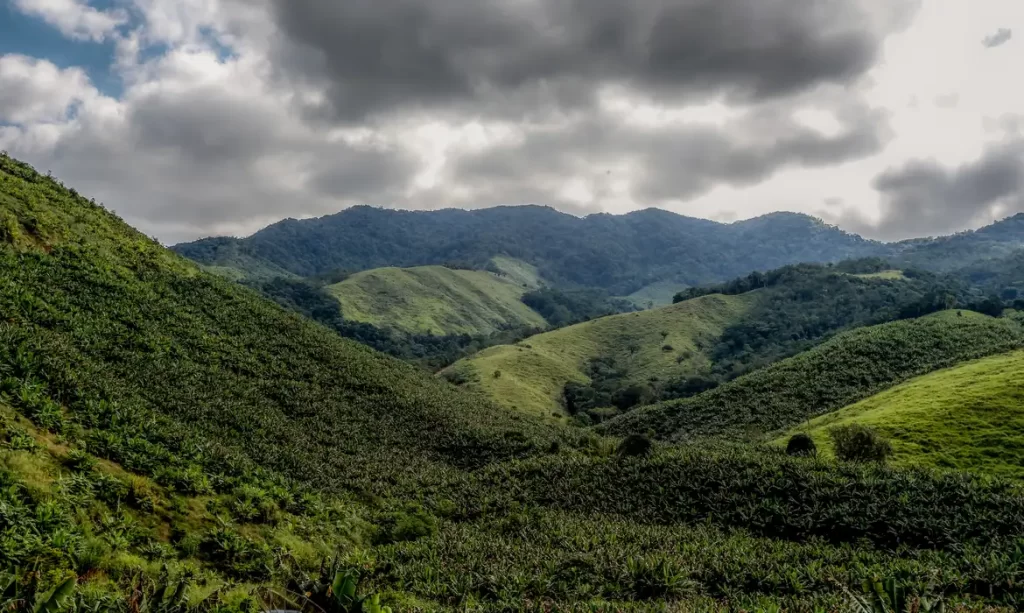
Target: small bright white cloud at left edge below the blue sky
[35,91]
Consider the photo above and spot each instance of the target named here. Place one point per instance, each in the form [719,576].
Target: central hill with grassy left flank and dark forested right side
[609,366]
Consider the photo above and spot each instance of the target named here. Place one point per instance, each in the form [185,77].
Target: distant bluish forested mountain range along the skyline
[621,254]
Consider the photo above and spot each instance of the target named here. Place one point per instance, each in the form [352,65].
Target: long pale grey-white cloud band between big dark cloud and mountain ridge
[611,159]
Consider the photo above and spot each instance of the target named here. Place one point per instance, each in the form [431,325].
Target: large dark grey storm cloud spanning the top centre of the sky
[503,57]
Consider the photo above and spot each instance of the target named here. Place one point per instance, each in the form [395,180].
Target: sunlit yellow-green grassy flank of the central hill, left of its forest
[660,343]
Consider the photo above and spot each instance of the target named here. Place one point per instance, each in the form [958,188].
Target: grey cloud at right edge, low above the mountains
[924,198]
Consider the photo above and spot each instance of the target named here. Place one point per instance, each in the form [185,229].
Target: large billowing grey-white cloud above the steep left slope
[203,147]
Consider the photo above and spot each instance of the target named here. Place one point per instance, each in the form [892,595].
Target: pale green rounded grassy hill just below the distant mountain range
[437,300]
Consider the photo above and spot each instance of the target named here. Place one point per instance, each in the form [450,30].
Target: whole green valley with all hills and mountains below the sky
[178,441]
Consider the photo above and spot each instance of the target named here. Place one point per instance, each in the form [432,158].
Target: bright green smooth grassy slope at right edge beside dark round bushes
[969,417]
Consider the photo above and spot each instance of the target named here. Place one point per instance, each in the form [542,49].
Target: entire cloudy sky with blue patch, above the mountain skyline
[892,119]
